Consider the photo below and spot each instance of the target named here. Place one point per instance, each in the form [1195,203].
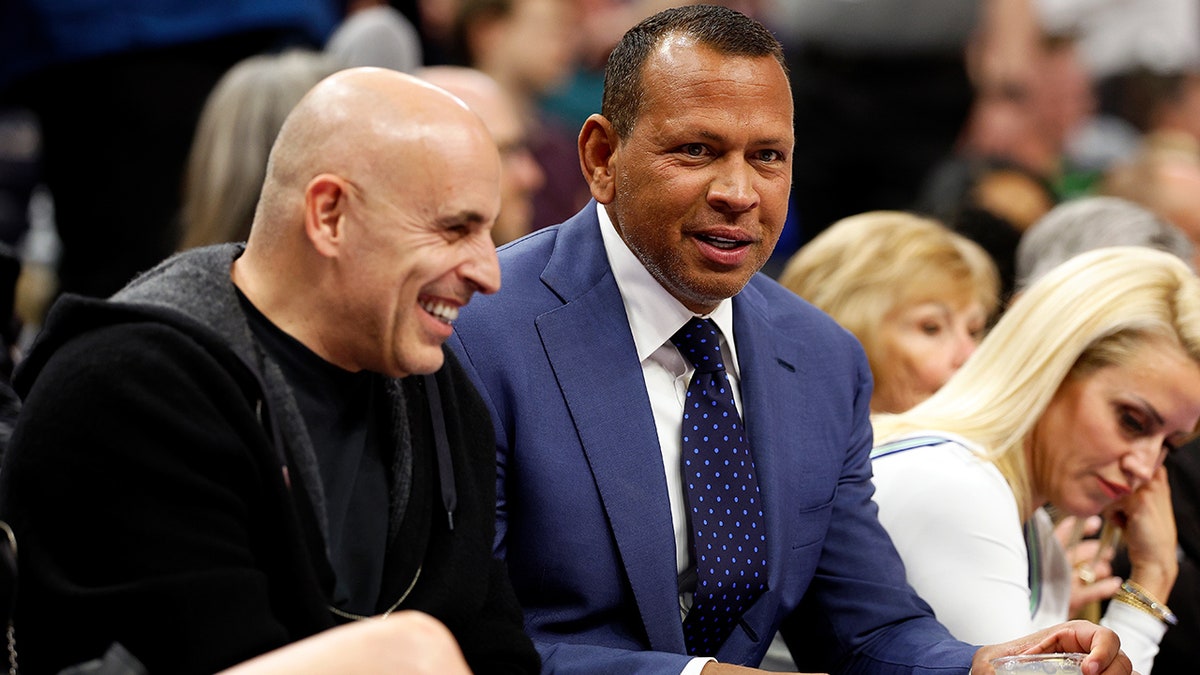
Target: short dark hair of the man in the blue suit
[722,29]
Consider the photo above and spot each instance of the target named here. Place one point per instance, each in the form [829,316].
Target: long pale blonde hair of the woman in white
[1090,313]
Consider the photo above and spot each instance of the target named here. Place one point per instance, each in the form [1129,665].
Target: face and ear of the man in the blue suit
[699,190]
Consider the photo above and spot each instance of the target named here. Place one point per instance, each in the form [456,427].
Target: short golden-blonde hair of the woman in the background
[863,267]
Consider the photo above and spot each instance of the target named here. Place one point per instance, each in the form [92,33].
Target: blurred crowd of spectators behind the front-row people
[947,152]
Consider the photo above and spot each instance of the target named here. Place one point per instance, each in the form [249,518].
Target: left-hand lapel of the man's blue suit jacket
[591,350]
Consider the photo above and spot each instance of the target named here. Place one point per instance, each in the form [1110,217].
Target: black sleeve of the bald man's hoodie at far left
[129,483]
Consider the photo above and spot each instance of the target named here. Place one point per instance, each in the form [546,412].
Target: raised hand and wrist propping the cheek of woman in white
[1150,535]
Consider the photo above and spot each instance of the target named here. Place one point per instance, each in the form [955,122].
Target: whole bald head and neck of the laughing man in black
[375,223]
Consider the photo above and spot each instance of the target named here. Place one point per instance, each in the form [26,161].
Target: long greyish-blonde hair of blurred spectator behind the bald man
[238,126]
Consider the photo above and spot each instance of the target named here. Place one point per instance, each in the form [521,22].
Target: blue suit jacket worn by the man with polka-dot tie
[584,518]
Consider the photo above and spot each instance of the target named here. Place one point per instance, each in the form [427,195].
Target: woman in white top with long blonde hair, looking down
[1073,401]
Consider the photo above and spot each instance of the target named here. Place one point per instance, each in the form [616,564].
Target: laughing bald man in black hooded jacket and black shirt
[253,445]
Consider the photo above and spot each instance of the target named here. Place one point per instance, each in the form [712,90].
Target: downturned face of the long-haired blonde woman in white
[1106,433]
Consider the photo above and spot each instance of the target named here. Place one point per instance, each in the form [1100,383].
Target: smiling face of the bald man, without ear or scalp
[418,246]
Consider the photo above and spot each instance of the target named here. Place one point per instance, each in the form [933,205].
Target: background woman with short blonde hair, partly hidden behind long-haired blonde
[917,296]
